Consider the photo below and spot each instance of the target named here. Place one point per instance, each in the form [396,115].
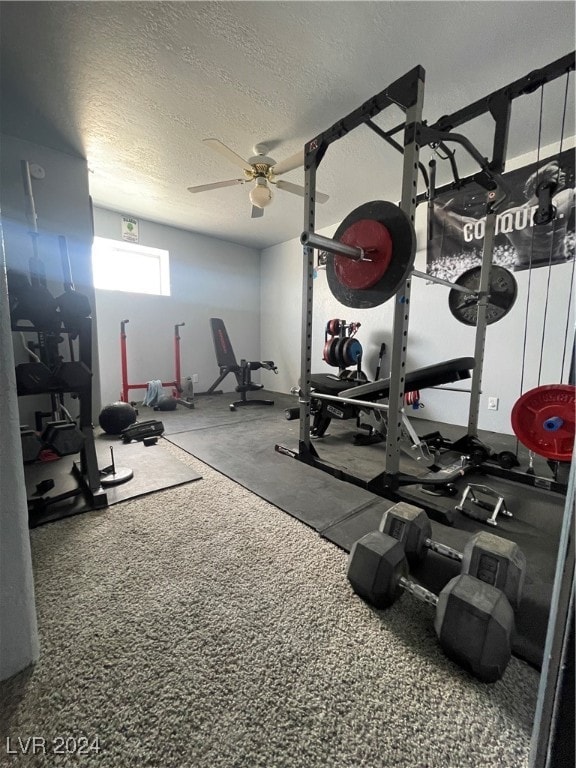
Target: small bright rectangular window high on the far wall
[119,266]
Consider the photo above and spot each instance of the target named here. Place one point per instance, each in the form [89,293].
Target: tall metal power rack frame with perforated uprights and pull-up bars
[407,94]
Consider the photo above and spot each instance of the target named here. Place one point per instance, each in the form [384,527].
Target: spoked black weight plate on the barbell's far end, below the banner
[503,291]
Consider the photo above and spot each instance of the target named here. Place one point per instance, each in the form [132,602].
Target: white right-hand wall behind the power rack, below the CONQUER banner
[511,363]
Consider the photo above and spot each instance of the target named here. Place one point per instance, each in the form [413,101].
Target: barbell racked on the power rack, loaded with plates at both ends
[372,255]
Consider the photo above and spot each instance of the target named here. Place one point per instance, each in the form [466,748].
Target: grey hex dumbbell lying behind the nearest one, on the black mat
[489,558]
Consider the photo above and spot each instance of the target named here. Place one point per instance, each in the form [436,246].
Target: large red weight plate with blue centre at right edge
[543,419]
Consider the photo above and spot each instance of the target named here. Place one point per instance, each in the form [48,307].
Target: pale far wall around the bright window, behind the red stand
[209,278]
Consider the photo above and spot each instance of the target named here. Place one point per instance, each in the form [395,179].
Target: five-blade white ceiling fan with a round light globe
[262,170]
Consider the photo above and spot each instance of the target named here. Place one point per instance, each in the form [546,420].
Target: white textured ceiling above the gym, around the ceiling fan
[136,86]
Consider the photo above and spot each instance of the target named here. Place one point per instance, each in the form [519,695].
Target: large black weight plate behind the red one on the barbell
[403,236]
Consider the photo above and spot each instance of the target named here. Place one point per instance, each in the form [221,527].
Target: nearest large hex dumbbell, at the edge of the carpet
[474,620]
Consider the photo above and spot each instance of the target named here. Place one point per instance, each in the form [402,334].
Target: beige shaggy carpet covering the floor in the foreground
[201,627]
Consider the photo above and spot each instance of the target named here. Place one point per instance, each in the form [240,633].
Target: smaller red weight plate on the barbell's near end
[375,238]
